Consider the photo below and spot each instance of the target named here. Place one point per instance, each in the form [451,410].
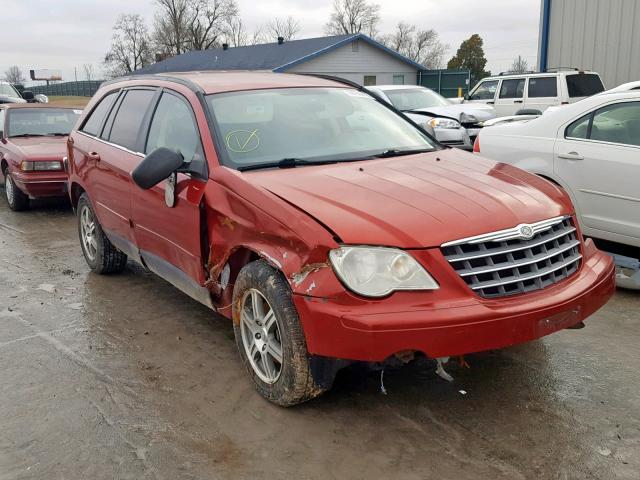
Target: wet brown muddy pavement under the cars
[125,377]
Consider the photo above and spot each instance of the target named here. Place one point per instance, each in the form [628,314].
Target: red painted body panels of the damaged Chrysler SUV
[292,218]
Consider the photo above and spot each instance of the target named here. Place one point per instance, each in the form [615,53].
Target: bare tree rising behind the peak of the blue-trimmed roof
[353,16]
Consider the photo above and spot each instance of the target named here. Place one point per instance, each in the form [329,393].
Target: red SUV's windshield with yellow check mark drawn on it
[262,126]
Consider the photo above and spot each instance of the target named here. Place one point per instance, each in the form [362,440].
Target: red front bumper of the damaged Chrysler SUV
[453,320]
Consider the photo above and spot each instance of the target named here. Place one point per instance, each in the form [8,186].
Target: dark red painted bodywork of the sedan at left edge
[13,151]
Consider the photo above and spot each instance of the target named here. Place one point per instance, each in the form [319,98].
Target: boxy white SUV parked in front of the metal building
[511,94]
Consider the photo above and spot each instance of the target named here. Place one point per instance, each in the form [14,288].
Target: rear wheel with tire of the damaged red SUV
[101,256]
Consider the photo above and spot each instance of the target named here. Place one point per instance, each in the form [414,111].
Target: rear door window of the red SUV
[128,120]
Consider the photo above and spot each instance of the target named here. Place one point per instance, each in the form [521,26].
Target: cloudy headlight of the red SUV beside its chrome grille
[378,271]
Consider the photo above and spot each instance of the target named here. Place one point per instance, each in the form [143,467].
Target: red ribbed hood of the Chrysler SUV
[415,201]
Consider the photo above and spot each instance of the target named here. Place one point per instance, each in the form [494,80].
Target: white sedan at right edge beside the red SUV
[592,150]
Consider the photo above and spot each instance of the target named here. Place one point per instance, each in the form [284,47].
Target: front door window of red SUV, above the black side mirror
[173,126]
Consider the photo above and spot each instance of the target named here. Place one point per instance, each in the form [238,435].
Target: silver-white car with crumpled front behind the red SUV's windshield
[454,125]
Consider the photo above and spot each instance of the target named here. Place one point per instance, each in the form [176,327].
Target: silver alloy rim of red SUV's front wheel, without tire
[261,336]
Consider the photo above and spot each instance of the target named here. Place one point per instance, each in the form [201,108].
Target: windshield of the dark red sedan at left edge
[42,121]
